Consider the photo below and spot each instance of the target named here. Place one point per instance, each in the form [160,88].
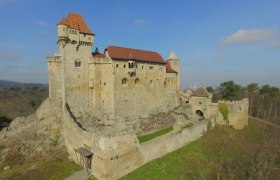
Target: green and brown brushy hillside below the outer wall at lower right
[223,153]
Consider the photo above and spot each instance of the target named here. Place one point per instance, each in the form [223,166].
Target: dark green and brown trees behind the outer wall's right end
[264,101]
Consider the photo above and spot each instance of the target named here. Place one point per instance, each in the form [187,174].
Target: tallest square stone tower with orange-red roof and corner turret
[75,41]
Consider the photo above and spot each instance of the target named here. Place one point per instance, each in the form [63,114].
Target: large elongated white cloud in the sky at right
[249,36]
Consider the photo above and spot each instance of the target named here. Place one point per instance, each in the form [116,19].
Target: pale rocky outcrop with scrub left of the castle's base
[34,135]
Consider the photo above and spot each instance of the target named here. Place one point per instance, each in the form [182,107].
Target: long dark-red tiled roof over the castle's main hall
[134,54]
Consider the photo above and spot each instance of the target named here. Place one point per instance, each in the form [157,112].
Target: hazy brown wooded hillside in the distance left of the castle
[19,99]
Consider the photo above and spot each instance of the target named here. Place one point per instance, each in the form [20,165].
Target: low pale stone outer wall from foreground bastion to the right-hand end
[115,155]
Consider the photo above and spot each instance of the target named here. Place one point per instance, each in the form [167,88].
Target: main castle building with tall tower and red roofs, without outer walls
[120,82]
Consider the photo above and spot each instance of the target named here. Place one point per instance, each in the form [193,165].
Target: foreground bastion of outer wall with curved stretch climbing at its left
[113,155]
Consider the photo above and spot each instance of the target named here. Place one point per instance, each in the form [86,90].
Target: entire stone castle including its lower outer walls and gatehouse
[119,92]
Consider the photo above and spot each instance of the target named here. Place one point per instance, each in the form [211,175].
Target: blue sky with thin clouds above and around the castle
[216,41]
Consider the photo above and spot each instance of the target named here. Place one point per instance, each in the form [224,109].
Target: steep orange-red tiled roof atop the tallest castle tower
[76,21]
